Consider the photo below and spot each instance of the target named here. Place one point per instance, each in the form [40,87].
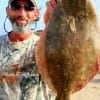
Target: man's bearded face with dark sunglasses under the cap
[22,14]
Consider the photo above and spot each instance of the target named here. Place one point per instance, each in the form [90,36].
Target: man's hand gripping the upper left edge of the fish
[50,5]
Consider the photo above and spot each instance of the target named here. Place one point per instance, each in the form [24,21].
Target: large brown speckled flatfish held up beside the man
[66,55]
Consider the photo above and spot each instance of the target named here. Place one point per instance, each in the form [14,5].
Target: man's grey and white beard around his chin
[20,28]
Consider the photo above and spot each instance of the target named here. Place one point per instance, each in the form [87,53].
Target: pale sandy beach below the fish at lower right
[90,92]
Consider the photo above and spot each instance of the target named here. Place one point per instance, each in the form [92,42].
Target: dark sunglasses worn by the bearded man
[17,6]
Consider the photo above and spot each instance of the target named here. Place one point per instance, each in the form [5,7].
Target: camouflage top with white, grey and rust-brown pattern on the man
[19,77]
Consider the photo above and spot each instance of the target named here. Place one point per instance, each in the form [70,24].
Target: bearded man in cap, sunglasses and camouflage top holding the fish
[19,78]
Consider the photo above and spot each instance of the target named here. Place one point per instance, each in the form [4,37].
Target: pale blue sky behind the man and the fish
[40,24]
